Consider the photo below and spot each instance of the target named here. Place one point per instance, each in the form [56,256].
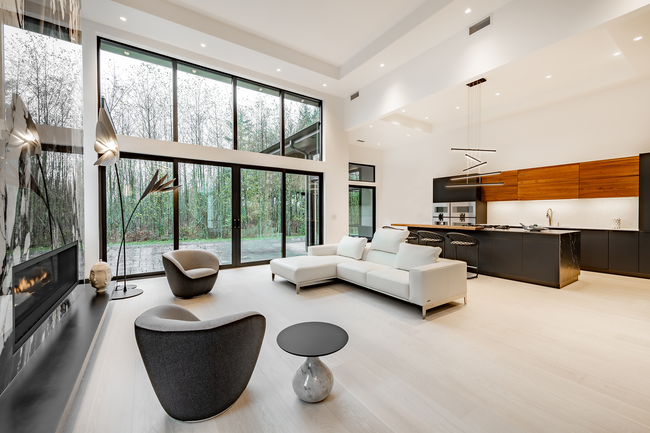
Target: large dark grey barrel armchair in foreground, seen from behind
[198,368]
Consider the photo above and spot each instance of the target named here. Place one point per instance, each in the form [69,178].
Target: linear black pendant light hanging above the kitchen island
[473,150]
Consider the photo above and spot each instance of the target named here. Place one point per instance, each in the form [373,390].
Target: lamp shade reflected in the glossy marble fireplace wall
[21,128]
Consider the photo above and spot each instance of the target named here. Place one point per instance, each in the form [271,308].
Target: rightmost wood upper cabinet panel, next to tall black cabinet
[610,178]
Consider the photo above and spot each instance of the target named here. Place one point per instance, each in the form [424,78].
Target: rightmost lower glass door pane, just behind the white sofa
[302,213]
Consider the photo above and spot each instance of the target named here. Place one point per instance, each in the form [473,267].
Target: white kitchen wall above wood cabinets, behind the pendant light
[608,124]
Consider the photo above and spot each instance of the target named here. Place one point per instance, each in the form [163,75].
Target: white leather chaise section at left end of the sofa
[307,268]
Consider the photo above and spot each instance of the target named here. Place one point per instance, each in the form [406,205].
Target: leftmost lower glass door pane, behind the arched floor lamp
[151,231]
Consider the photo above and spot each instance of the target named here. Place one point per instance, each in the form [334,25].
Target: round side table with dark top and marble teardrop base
[313,381]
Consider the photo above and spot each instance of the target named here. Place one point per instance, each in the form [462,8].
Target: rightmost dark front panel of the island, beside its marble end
[540,262]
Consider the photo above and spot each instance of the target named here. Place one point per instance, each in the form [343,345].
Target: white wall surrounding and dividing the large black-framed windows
[334,167]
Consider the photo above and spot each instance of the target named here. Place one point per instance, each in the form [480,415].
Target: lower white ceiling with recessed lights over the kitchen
[579,65]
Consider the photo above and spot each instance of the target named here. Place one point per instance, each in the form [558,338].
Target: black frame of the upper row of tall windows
[234,78]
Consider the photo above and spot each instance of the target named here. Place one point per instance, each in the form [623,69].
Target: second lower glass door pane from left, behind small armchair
[205,209]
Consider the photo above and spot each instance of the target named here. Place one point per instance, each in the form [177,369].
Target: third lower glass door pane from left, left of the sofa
[261,215]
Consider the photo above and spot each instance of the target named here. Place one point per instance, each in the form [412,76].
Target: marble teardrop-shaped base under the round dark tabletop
[313,381]
